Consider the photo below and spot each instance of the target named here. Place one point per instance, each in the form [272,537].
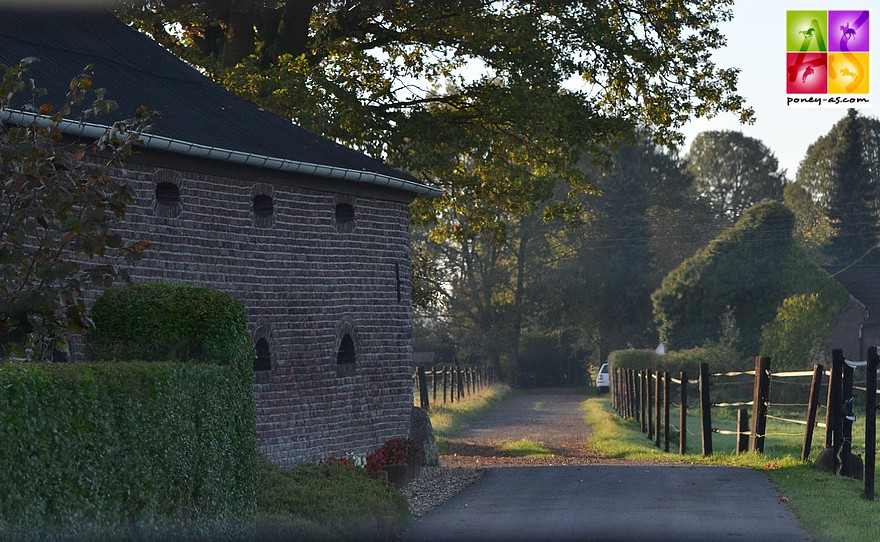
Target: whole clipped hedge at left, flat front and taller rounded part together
[133,444]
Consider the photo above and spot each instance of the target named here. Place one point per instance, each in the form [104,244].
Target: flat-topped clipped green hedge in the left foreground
[123,445]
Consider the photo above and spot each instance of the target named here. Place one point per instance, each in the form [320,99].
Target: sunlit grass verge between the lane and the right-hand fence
[829,507]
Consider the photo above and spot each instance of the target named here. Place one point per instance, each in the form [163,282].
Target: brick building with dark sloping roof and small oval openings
[312,236]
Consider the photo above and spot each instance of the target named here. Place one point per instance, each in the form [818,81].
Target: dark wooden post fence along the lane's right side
[647,397]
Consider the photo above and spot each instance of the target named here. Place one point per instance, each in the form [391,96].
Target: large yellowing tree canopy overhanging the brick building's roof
[493,101]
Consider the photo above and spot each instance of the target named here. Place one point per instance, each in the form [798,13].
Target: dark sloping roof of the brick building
[137,71]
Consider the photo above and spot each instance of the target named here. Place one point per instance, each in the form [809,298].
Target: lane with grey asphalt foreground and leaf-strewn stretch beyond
[593,501]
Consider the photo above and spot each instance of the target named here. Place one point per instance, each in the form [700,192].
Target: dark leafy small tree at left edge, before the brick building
[58,206]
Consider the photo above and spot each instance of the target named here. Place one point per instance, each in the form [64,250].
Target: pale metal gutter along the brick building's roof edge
[177,146]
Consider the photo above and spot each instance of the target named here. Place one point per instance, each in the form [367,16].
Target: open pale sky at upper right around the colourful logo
[756,45]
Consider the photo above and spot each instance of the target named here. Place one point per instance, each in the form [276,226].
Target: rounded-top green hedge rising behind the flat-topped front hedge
[161,322]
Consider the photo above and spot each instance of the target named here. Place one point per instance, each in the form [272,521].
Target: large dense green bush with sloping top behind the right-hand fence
[745,273]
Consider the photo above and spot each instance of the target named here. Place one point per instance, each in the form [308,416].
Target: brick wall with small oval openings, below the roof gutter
[306,282]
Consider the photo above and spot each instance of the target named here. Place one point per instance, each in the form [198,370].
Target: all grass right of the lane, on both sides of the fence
[829,507]
